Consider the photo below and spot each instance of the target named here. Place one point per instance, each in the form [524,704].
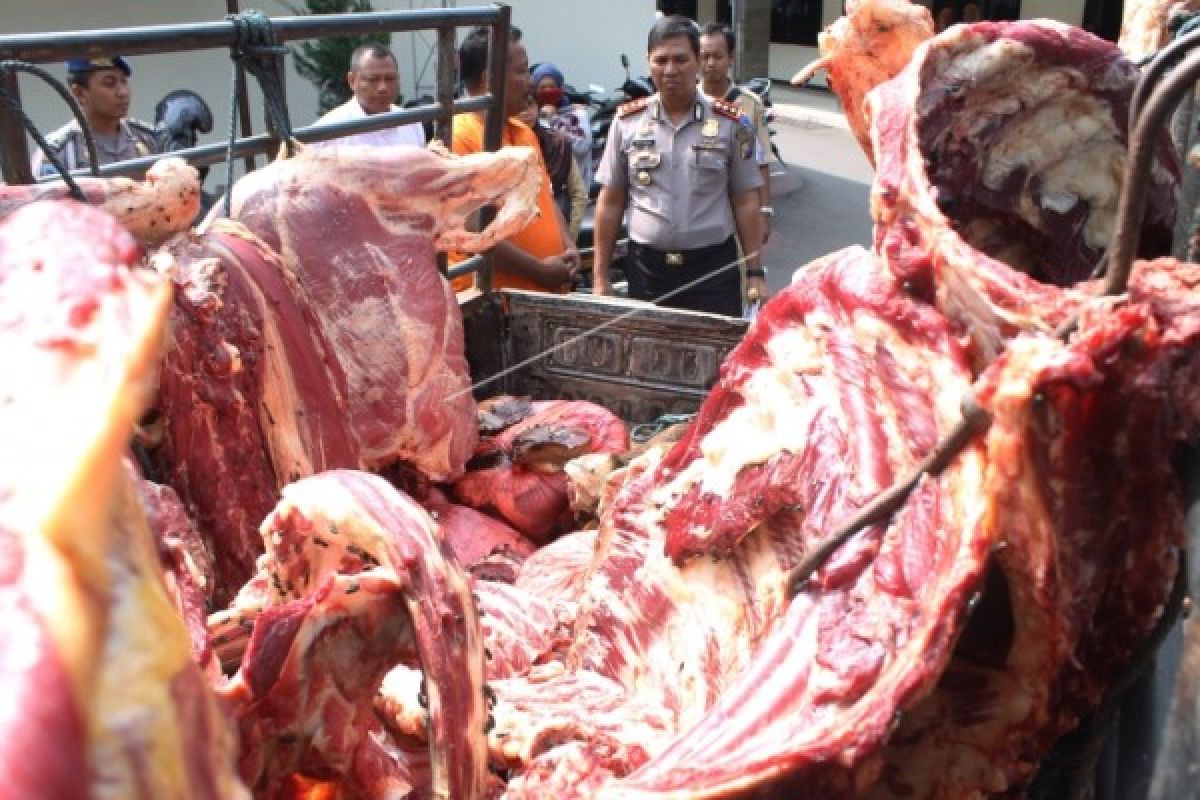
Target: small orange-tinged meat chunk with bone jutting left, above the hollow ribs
[869,45]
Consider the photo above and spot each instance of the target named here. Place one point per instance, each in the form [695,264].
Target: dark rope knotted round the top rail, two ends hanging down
[256,50]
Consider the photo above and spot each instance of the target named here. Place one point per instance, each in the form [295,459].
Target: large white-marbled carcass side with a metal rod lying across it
[799,420]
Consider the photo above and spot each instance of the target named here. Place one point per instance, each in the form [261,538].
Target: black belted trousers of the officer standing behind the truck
[653,274]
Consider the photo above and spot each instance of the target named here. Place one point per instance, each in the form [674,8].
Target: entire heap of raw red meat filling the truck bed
[355,581]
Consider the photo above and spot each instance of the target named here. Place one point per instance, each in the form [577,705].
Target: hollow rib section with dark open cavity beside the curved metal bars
[1000,152]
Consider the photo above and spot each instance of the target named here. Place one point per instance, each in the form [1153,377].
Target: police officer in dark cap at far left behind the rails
[103,88]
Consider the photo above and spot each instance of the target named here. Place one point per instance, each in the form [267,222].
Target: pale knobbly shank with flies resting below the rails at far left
[154,209]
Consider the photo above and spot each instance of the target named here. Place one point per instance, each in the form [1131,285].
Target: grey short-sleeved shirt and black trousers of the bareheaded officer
[680,184]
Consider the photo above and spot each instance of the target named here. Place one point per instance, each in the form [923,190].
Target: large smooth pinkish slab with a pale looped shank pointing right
[359,228]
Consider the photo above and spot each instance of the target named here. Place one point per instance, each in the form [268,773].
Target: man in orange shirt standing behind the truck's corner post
[542,256]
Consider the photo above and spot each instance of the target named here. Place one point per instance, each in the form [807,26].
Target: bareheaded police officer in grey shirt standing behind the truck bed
[686,169]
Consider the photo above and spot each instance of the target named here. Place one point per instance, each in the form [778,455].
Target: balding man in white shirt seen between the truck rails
[375,80]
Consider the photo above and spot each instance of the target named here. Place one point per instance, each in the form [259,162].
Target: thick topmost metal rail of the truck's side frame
[199,37]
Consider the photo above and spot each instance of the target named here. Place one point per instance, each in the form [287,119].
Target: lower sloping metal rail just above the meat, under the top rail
[263,143]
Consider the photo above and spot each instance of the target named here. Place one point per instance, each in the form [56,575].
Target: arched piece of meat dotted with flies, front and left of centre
[358,584]
